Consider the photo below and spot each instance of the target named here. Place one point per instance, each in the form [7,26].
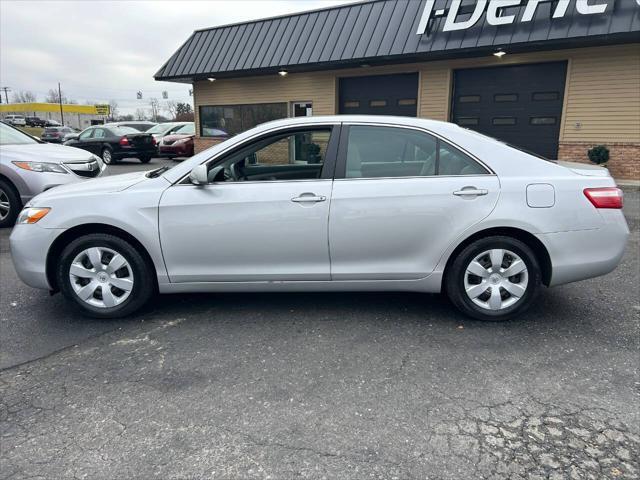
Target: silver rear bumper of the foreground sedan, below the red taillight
[579,255]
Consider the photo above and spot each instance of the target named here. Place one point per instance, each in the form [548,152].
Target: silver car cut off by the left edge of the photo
[29,167]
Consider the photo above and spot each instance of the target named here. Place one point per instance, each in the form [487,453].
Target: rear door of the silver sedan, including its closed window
[400,198]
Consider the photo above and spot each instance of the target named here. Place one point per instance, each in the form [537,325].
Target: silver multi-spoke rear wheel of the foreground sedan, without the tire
[496,279]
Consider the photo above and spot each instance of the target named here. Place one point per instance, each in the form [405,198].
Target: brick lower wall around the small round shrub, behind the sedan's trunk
[624,161]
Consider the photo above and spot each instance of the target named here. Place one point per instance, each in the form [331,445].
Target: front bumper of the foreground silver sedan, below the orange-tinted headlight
[30,245]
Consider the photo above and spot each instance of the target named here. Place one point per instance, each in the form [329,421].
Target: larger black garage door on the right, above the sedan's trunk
[520,104]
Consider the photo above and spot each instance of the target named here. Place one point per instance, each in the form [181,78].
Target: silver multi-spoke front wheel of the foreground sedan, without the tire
[101,277]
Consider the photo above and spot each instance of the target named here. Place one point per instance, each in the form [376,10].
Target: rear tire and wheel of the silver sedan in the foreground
[484,290]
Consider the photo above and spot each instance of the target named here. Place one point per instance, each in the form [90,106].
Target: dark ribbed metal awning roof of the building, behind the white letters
[386,31]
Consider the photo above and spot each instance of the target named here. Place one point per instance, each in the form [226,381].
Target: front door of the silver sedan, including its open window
[263,216]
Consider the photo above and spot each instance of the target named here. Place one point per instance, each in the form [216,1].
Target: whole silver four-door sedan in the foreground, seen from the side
[329,203]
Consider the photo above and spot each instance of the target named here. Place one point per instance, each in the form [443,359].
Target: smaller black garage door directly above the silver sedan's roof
[380,95]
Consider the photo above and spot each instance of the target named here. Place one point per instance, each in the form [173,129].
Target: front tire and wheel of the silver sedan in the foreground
[83,273]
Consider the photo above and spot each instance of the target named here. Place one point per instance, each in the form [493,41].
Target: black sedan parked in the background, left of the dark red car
[114,143]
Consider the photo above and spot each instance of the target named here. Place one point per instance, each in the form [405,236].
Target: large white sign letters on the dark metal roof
[494,10]
